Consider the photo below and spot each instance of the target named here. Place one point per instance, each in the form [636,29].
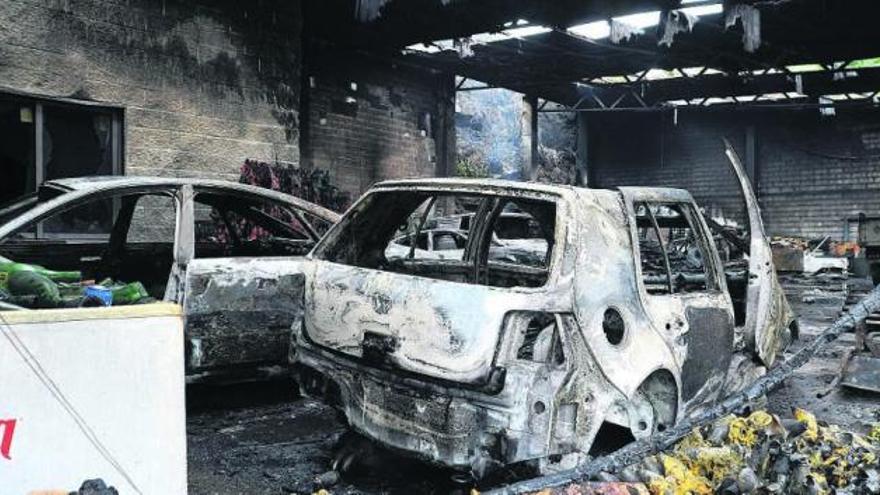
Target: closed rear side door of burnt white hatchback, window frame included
[683,291]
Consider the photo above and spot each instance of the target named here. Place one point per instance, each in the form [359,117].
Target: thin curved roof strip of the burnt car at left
[104,182]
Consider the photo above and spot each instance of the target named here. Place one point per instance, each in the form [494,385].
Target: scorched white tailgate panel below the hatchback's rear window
[437,328]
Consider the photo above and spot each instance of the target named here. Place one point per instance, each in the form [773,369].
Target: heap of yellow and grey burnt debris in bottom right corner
[765,454]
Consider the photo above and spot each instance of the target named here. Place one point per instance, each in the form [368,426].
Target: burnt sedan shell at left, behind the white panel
[228,253]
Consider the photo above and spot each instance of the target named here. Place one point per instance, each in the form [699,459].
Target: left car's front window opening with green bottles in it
[112,250]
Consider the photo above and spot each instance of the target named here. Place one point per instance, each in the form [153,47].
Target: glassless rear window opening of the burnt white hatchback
[471,238]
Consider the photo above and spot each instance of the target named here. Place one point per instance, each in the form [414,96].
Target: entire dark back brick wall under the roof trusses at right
[811,171]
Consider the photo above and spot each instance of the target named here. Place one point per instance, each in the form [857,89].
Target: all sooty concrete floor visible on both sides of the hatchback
[262,439]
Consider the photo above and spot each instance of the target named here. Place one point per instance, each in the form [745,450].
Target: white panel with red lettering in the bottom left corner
[123,373]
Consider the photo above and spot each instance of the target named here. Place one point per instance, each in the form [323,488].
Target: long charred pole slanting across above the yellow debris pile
[635,452]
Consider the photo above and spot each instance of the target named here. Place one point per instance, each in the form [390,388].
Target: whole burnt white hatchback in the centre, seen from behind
[626,324]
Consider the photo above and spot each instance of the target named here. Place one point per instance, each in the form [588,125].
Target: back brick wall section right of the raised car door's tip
[814,172]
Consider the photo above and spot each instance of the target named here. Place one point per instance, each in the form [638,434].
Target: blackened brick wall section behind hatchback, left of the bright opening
[369,120]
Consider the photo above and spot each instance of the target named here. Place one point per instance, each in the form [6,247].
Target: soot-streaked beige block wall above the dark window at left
[204,85]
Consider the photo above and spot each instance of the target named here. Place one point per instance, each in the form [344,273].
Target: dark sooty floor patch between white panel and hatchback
[262,439]
